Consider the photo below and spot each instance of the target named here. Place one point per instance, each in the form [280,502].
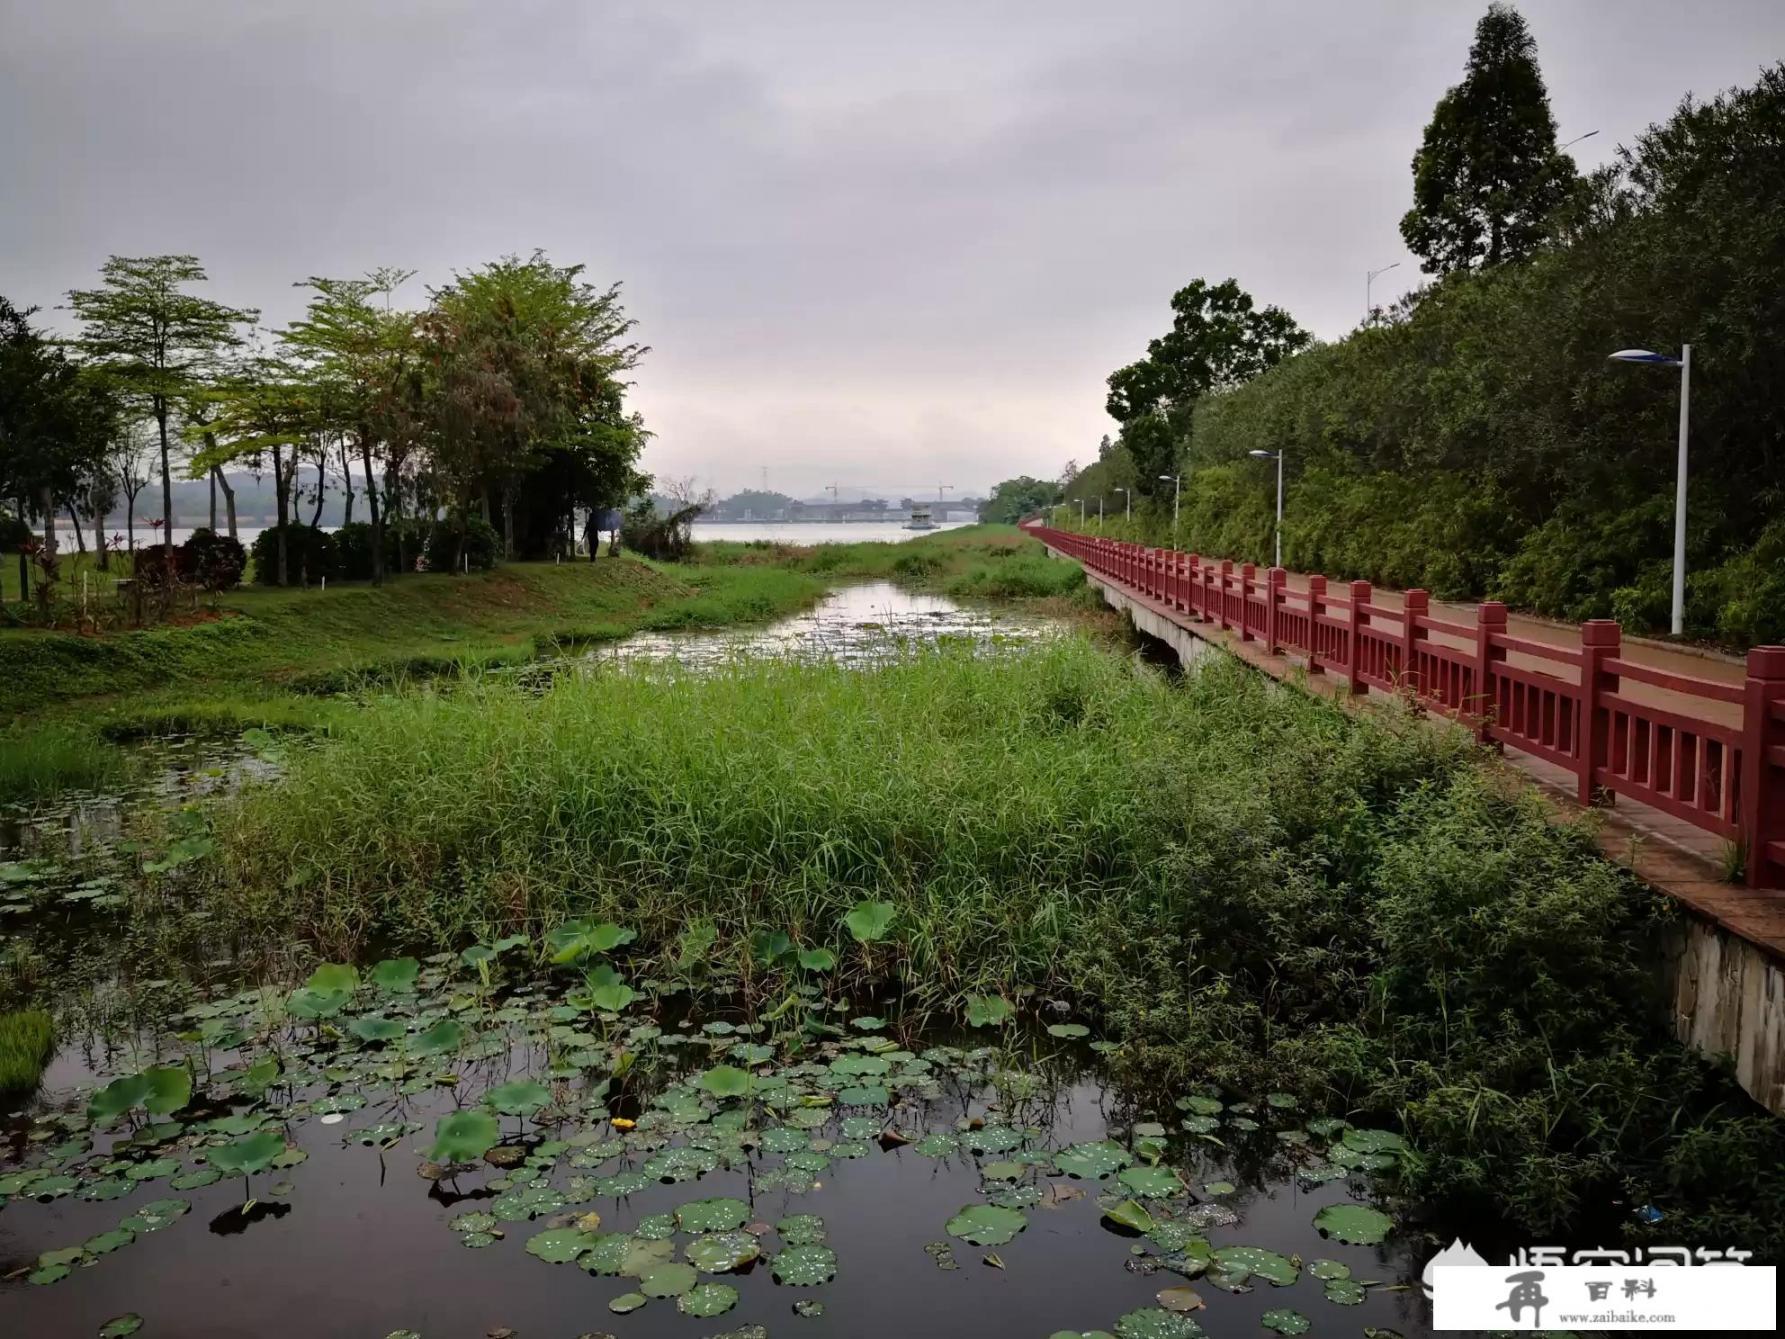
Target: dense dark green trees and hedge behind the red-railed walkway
[1475,438]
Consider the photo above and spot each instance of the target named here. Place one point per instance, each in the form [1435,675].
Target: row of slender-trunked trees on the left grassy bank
[499,403]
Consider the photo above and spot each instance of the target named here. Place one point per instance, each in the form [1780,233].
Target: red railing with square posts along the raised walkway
[1704,751]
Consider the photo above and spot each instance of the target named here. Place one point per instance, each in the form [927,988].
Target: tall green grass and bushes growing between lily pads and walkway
[1241,883]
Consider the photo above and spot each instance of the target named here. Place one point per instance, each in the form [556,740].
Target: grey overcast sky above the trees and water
[888,245]
